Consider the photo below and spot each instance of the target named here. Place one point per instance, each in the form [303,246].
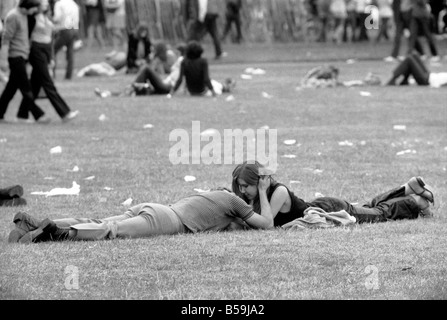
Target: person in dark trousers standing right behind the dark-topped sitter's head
[201,17]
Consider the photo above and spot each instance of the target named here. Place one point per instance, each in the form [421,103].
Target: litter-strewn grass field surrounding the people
[393,260]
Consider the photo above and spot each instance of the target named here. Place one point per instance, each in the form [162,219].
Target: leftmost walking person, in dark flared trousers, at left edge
[16,44]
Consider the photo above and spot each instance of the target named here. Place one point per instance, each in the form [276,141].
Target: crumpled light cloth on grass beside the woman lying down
[316,218]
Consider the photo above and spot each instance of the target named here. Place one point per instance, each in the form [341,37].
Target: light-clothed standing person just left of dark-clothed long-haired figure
[115,21]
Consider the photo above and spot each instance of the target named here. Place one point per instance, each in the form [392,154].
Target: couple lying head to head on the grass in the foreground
[258,202]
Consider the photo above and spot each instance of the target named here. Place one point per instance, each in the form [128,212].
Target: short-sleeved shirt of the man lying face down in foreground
[211,211]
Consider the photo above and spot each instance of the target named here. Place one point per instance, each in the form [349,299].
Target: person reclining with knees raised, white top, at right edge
[412,65]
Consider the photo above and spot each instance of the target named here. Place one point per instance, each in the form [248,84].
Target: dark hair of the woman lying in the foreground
[250,173]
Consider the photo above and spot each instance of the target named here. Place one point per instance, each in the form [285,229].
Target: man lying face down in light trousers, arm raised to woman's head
[215,210]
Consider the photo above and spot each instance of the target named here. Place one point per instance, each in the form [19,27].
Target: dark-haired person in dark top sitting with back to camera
[194,68]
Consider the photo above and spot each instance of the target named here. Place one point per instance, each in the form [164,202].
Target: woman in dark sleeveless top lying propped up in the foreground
[405,202]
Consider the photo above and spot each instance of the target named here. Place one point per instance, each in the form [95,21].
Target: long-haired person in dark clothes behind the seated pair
[139,48]
